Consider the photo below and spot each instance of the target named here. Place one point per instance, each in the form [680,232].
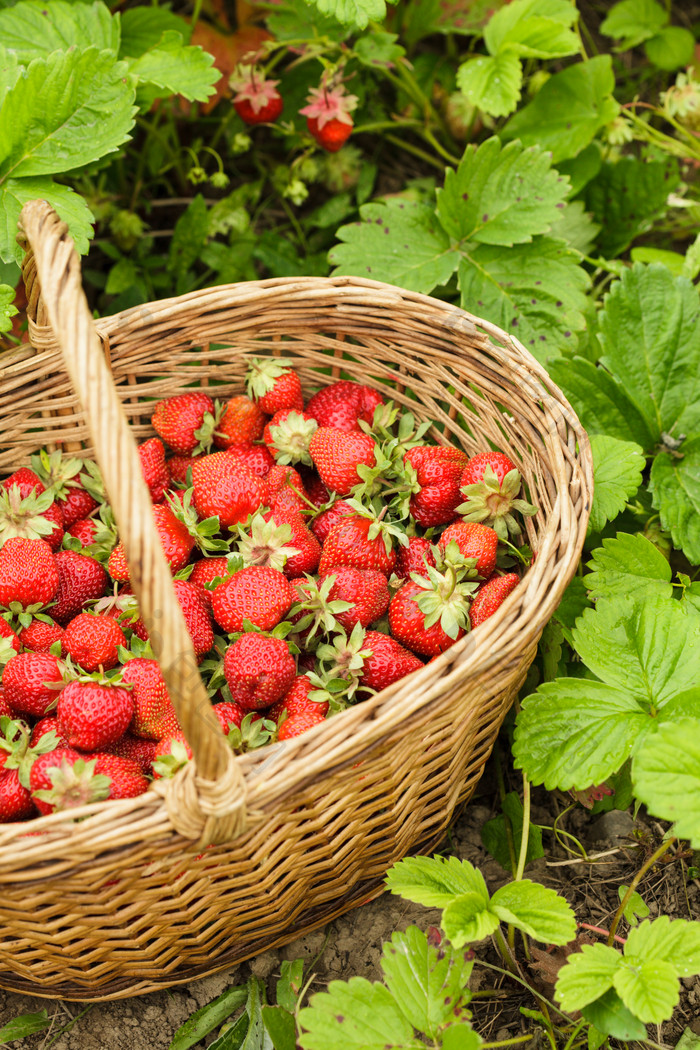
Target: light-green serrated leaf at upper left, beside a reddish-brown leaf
[177,69]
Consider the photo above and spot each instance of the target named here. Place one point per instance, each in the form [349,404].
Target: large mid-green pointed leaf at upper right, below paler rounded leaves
[569,110]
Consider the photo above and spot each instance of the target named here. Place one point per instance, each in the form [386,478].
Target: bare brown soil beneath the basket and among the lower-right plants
[616,845]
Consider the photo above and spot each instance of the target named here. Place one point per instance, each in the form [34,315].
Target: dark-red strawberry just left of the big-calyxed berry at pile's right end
[438,471]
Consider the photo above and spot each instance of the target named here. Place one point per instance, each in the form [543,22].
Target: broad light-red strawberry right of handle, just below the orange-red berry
[227,490]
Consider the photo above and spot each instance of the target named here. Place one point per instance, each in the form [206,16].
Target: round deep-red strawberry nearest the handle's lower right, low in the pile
[259,670]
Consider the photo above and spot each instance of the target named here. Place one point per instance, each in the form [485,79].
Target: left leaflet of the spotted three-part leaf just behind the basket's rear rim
[398,242]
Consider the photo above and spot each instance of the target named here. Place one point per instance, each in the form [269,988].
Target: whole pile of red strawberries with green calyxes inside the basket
[320,553]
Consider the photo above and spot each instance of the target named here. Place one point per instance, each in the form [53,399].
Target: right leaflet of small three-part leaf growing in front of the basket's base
[538,911]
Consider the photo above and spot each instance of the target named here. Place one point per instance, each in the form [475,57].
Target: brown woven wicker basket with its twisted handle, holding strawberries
[130,899]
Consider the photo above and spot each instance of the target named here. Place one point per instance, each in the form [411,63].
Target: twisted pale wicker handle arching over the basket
[207,802]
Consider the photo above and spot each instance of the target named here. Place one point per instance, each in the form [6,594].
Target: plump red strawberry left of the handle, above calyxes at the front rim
[92,715]
